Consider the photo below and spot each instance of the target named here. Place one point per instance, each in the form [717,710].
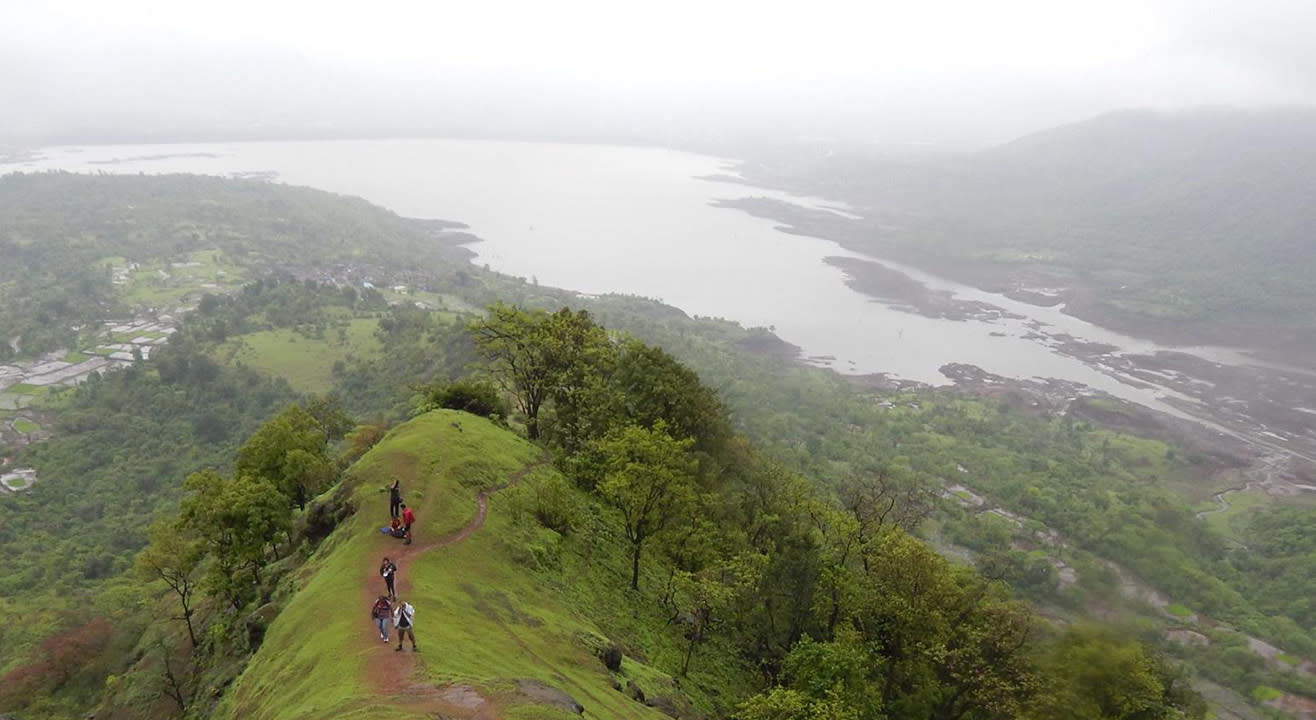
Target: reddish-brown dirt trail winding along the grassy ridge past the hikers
[395,675]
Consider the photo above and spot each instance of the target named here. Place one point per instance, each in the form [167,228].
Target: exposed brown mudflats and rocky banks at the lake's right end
[1239,415]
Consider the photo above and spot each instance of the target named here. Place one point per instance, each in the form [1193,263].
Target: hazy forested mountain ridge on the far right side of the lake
[1186,226]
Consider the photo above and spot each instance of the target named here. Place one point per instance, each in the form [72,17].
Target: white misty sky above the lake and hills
[947,73]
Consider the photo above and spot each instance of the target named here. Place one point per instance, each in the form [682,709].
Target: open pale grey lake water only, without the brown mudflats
[638,220]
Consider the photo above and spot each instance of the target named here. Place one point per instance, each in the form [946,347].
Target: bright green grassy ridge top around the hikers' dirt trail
[482,622]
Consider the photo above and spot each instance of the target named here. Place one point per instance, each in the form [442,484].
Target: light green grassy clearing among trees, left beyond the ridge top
[307,364]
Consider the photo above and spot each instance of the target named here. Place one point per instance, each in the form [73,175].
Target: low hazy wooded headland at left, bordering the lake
[64,235]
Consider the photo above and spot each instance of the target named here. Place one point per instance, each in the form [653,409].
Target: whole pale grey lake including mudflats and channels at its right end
[602,220]
